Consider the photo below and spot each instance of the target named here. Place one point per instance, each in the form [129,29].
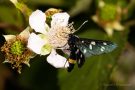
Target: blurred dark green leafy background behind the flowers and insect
[112,71]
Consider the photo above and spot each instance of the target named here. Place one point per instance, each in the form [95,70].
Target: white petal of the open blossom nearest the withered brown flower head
[35,43]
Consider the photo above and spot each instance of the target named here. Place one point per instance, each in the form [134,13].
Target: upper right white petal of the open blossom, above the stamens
[60,19]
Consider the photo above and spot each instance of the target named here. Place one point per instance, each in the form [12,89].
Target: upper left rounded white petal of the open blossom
[37,21]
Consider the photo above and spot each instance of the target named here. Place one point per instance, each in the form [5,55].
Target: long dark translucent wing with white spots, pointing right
[91,47]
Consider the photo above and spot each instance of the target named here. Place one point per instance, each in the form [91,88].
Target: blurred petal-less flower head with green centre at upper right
[108,16]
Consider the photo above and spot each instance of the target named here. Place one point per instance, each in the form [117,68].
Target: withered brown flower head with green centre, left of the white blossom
[16,51]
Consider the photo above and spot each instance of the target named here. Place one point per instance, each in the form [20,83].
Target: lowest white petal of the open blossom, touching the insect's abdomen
[57,60]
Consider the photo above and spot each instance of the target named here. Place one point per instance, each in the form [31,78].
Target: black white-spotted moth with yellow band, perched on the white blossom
[81,47]
